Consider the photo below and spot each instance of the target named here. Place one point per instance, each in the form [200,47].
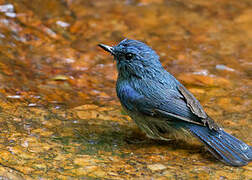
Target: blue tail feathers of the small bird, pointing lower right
[223,146]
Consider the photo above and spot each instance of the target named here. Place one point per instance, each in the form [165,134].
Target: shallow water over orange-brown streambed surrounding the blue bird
[59,114]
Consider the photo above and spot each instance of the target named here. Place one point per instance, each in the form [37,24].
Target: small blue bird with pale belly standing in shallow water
[160,105]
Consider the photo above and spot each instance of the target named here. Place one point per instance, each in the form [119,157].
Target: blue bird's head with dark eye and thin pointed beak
[133,58]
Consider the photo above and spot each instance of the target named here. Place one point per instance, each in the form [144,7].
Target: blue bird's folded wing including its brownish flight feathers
[178,109]
